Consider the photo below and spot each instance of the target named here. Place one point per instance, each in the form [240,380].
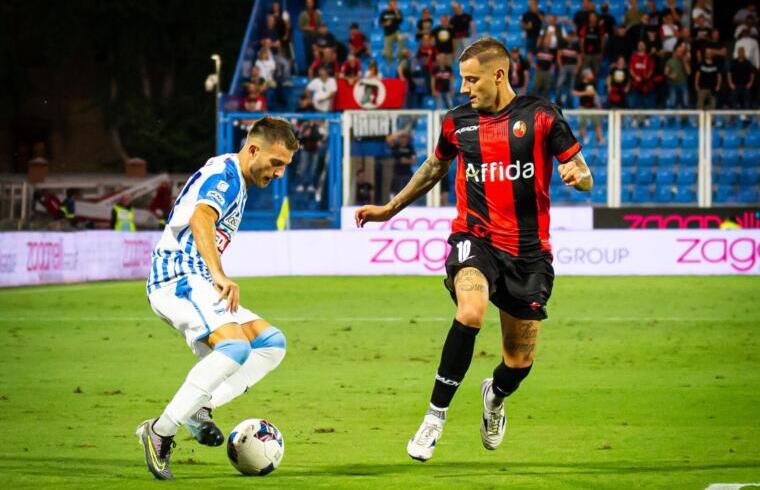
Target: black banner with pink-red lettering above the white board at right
[678,217]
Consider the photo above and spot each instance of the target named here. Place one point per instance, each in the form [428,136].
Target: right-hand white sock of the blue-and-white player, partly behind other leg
[259,363]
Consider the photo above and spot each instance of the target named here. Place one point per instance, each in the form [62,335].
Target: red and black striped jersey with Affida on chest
[504,170]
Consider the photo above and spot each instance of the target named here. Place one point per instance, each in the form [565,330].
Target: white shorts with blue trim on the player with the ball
[192,306]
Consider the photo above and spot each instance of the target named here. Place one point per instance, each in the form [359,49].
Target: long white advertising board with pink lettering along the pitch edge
[45,258]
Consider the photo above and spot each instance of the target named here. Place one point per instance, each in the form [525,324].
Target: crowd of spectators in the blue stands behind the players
[649,57]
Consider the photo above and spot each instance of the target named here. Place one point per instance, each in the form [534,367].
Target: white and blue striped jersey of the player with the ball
[219,184]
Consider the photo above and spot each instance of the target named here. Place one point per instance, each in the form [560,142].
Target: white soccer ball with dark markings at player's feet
[255,447]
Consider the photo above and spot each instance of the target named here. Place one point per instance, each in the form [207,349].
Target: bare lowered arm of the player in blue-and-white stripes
[203,228]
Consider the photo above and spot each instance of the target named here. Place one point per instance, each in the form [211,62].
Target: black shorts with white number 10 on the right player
[521,286]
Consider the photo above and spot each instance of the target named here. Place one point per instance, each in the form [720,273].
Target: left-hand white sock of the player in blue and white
[201,381]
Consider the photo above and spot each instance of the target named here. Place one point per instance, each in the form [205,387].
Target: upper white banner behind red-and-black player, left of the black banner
[422,218]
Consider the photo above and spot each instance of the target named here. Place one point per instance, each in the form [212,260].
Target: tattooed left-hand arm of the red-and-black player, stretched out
[430,172]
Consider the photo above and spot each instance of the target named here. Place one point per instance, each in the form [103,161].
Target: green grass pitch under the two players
[639,383]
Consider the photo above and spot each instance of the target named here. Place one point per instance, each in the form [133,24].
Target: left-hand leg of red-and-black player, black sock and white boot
[471,288]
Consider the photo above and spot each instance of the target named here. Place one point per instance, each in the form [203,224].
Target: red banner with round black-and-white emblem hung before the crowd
[388,93]
